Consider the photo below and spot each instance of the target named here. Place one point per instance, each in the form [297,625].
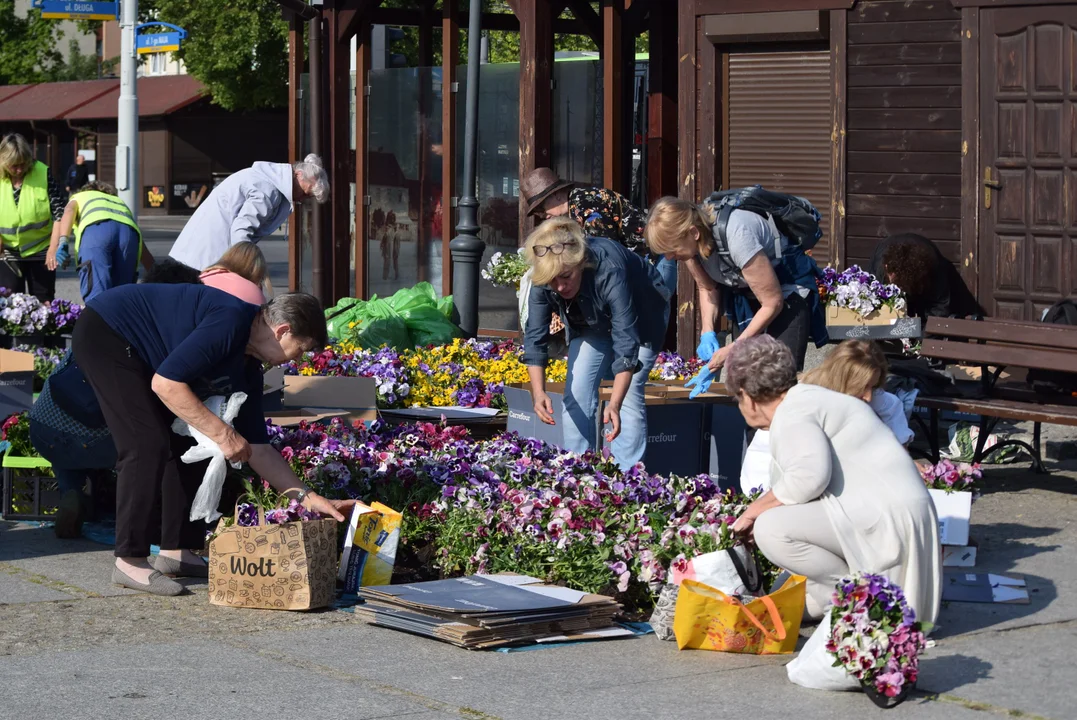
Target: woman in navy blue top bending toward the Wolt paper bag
[151,354]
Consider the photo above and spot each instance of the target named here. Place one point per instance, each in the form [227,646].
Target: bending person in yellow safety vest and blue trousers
[108,244]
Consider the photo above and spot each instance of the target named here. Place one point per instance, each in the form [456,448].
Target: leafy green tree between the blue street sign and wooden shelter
[237,50]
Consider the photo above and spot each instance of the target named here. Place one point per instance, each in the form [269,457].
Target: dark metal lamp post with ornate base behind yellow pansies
[467,248]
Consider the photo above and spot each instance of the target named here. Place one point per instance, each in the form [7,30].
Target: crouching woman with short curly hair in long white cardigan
[846,497]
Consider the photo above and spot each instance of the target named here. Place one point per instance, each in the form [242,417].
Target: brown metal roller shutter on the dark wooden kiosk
[780,128]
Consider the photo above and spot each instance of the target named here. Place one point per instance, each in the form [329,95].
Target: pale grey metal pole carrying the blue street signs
[128,166]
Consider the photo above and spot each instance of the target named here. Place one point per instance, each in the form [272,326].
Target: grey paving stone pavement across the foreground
[73,646]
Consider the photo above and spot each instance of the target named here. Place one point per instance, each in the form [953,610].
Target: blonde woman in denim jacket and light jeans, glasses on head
[614,305]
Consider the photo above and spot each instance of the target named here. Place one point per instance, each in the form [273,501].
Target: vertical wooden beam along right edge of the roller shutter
[840,21]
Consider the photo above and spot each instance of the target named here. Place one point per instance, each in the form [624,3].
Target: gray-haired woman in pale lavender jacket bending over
[248,206]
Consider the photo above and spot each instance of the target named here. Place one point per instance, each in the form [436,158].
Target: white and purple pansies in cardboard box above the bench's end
[857,298]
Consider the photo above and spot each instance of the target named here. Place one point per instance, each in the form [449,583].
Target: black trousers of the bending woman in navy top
[155,489]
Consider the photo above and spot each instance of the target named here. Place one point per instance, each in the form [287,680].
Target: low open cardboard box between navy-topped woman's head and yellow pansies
[314,399]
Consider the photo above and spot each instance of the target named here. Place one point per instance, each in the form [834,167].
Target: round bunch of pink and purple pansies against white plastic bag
[876,639]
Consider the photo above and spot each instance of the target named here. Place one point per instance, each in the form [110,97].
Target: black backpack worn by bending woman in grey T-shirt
[795,219]
